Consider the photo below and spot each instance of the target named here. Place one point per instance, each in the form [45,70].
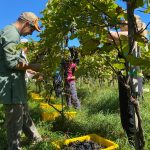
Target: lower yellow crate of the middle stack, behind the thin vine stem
[49,116]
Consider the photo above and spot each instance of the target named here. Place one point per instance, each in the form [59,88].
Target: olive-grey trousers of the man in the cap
[18,120]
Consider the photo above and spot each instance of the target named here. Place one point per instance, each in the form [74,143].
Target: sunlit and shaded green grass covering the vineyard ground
[99,114]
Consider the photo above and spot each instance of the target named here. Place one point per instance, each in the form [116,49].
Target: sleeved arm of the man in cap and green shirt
[12,55]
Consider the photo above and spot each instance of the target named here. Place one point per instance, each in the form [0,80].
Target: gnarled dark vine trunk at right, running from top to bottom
[133,81]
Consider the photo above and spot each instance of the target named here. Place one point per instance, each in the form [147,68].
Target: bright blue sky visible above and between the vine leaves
[11,9]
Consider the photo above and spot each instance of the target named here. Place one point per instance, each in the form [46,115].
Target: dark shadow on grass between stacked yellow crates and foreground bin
[74,128]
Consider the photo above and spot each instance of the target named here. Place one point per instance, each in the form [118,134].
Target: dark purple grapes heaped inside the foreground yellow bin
[85,145]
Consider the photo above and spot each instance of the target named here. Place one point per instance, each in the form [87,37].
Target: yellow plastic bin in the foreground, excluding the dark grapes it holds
[93,137]
